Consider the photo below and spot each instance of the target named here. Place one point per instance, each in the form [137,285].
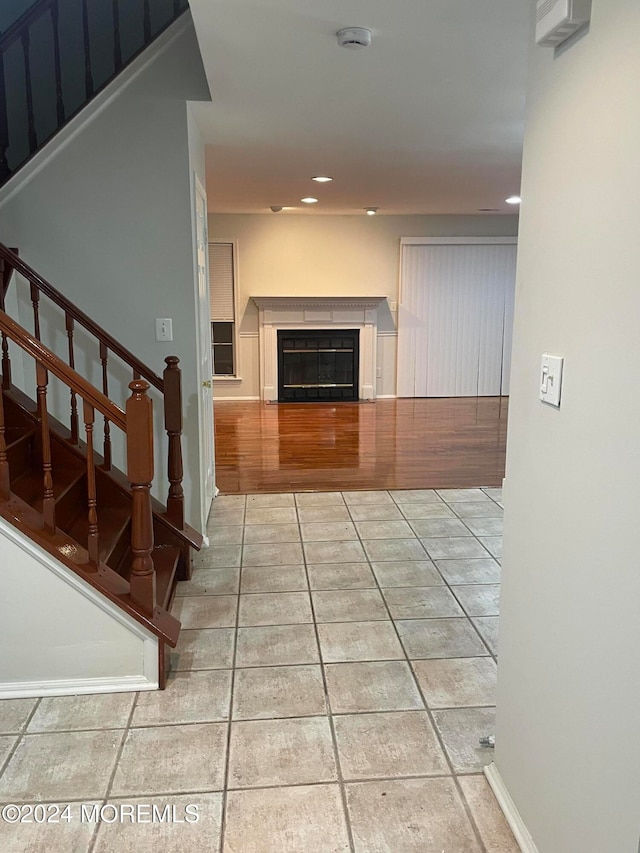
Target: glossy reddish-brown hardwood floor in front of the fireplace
[389,444]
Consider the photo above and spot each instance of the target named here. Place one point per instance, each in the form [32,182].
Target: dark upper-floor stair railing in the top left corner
[43,41]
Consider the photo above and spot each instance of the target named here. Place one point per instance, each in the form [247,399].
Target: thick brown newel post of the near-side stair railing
[139,413]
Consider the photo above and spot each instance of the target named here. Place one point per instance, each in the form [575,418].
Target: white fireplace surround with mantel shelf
[317,312]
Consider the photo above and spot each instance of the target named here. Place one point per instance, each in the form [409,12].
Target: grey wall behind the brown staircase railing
[107,220]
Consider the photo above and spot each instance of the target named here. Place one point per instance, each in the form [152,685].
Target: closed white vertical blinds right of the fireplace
[452,319]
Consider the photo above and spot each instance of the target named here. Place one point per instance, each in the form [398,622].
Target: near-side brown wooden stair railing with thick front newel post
[135,422]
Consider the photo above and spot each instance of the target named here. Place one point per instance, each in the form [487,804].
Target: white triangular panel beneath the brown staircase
[117,655]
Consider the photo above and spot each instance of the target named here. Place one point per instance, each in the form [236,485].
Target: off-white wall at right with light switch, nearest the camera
[568,741]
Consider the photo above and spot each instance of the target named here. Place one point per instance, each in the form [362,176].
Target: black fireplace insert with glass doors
[317,365]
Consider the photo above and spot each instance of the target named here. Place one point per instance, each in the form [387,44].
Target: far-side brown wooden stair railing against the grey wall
[169,385]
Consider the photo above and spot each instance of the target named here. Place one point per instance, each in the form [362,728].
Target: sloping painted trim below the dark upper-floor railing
[92,110]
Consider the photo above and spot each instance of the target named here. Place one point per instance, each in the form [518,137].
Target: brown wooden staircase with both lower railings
[59,491]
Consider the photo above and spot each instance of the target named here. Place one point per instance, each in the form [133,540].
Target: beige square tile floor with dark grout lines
[334,675]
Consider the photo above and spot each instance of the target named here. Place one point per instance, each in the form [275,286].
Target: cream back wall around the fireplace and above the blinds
[317,255]
